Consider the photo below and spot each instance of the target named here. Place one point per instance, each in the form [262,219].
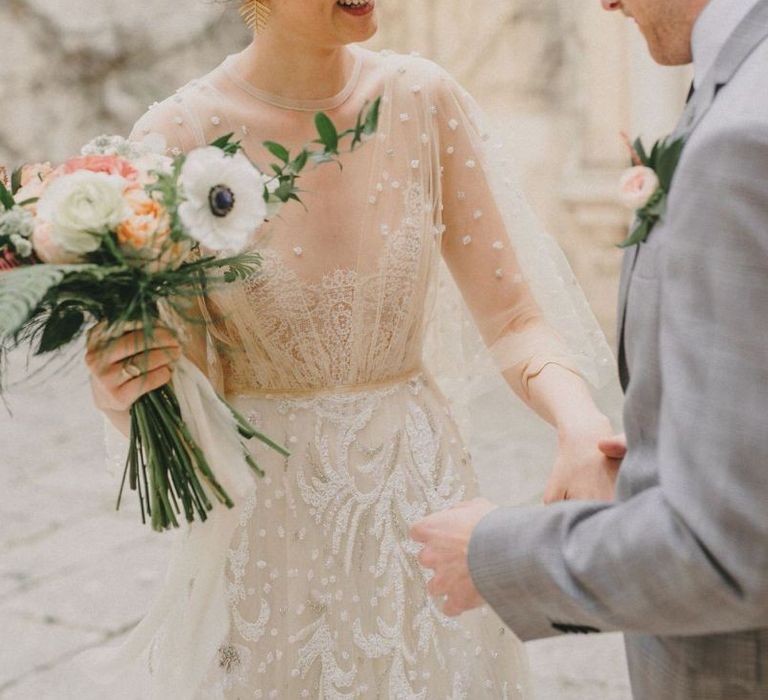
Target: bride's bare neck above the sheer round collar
[280,66]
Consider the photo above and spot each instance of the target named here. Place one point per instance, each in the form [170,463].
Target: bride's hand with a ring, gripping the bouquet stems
[126,367]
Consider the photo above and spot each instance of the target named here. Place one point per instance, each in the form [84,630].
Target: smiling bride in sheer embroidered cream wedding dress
[326,350]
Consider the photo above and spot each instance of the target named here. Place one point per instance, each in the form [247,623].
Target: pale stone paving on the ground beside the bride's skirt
[75,574]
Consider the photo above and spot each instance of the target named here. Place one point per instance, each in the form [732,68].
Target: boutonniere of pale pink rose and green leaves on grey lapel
[644,188]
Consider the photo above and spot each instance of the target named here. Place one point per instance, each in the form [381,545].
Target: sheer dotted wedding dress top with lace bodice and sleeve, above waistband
[348,284]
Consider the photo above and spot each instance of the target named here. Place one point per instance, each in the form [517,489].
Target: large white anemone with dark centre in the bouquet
[224,199]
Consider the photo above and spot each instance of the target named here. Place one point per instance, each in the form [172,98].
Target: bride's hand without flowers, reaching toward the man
[582,470]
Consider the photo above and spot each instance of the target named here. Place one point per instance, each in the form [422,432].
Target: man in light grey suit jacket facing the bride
[680,561]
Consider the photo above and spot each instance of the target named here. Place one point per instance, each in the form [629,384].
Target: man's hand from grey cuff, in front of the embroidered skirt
[445,537]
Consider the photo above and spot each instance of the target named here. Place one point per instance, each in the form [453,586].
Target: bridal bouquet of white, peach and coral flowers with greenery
[118,233]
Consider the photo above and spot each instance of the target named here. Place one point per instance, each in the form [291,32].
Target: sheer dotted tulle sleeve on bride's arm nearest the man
[517,285]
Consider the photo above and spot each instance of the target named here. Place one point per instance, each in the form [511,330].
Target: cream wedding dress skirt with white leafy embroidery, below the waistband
[322,571]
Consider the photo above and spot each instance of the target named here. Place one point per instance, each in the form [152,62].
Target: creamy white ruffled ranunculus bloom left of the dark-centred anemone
[82,208]
